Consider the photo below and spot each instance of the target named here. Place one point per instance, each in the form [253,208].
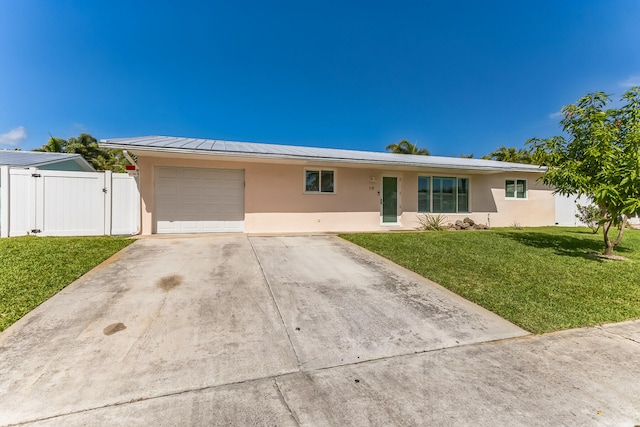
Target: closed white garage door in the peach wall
[195,200]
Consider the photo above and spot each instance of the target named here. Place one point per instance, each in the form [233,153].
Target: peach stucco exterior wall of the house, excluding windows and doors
[275,200]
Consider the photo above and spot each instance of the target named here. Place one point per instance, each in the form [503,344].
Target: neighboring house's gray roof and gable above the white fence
[46,161]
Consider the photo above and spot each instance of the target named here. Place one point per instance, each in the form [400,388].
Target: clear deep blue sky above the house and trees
[456,77]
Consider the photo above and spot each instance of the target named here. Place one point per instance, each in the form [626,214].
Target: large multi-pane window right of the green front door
[443,194]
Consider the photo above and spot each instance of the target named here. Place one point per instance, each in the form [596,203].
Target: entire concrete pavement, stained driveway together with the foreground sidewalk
[237,330]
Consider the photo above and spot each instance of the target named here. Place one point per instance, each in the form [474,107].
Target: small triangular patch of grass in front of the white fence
[33,269]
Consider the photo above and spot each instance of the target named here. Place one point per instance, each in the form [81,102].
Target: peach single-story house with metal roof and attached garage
[197,185]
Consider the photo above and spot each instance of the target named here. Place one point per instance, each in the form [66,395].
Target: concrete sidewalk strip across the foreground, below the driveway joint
[585,377]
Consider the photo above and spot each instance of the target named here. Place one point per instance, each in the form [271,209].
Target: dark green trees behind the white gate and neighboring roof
[87,146]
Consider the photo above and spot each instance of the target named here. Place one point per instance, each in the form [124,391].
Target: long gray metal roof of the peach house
[258,150]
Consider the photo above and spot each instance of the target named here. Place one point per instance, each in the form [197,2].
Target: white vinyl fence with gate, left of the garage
[61,203]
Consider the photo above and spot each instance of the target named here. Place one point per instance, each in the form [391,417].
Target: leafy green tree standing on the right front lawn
[599,158]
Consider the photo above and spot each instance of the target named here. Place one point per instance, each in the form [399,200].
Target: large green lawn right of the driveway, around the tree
[542,279]
